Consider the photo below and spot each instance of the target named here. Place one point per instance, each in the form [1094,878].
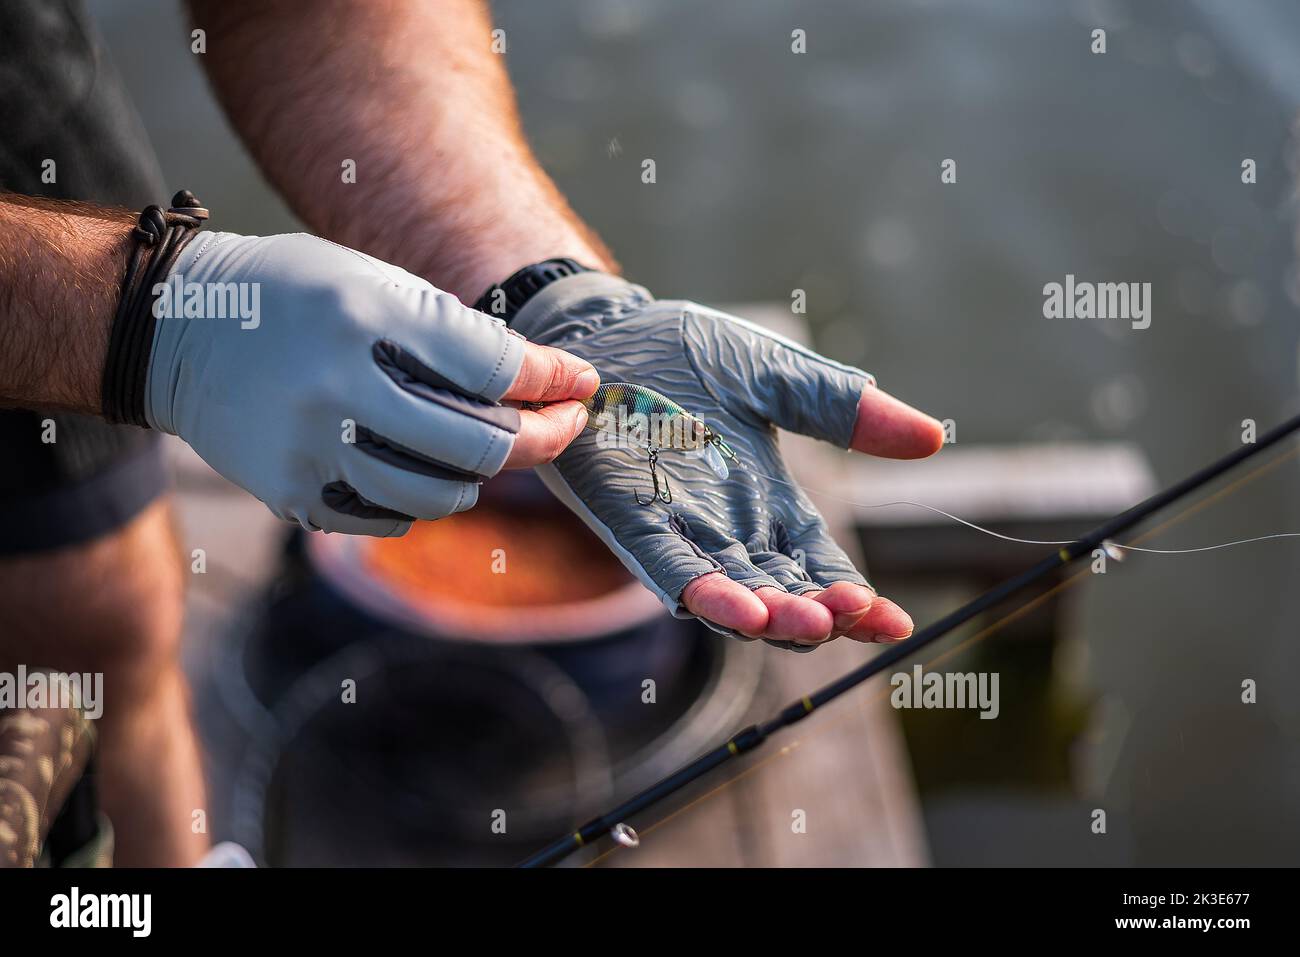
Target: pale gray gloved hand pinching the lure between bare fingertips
[356,397]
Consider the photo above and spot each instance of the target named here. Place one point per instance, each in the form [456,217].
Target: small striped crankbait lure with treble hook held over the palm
[645,419]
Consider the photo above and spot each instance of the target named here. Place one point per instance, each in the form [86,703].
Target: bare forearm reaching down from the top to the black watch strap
[447,187]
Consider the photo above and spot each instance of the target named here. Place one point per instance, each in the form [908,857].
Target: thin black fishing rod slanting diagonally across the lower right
[743,742]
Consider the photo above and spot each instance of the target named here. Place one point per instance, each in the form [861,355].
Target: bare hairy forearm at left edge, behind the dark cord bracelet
[62,269]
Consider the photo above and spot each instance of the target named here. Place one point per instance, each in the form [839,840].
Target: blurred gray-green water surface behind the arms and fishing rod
[822,172]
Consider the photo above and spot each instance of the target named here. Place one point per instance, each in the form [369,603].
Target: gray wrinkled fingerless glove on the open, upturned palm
[756,526]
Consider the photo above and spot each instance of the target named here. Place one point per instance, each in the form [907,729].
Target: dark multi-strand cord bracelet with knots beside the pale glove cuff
[159,239]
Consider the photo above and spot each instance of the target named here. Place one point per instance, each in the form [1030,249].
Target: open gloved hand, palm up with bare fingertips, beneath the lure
[748,555]
